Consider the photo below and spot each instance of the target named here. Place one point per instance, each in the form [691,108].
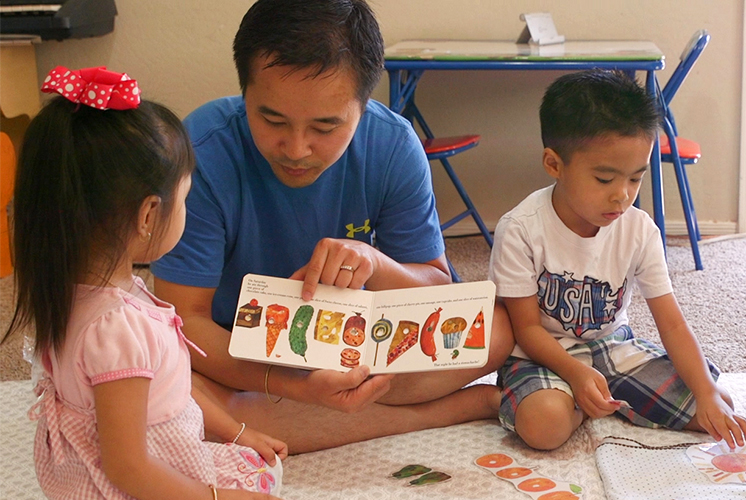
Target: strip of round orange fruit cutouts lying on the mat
[528,481]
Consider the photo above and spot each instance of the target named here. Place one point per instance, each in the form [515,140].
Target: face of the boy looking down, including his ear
[600,181]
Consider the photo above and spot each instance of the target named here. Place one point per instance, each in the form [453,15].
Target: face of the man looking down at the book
[301,125]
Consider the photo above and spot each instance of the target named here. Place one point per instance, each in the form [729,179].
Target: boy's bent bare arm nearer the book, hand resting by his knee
[589,386]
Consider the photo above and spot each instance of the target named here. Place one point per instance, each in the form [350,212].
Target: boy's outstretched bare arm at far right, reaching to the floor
[714,414]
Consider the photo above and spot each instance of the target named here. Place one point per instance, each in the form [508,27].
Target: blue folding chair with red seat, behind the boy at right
[677,150]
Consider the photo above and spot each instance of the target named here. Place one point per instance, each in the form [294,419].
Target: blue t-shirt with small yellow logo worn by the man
[241,219]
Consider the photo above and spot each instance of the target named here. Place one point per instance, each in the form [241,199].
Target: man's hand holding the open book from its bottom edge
[347,392]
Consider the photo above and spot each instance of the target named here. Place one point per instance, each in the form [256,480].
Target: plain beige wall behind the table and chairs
[180,52]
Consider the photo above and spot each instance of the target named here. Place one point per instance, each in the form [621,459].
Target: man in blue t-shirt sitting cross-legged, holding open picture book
[305,177]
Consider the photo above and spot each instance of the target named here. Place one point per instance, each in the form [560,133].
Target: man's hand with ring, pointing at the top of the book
[342,263]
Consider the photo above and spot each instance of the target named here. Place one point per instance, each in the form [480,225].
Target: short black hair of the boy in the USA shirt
[581,106]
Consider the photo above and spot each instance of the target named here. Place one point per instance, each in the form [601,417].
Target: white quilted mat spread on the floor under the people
[361,470]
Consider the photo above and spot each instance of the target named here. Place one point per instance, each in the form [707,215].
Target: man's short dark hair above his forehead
[320,35]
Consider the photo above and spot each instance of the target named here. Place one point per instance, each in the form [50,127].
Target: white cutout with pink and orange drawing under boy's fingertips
[718,463]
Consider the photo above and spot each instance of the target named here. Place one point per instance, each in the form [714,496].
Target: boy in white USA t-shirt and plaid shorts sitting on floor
[564,262]
